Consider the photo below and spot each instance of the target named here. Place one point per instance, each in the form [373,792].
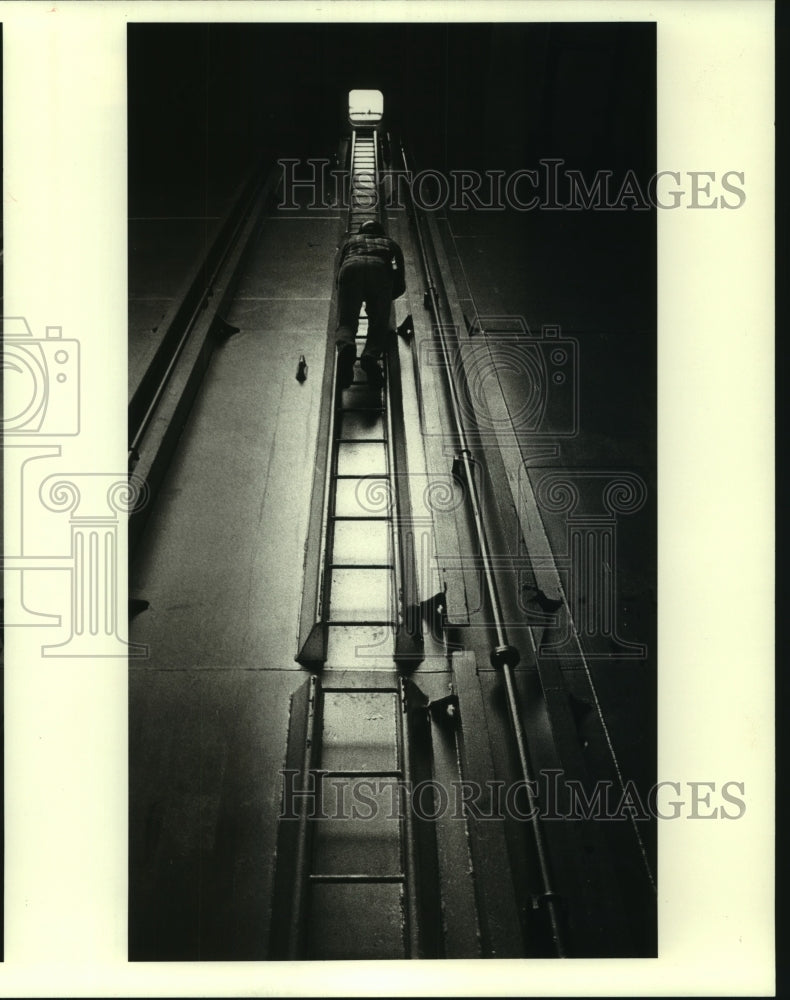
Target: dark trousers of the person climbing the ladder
[365,280]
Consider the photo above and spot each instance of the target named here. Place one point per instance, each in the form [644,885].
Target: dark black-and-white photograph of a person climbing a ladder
[393,571]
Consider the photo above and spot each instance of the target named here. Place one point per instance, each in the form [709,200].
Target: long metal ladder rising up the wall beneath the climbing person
[354,875]
